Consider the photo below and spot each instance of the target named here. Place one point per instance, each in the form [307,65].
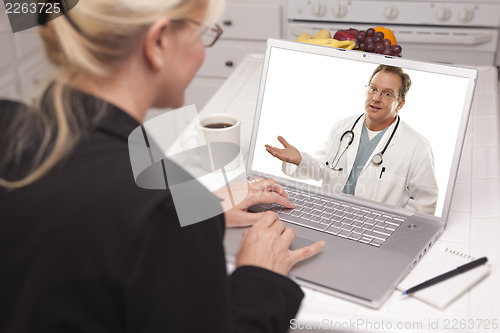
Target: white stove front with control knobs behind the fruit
[458,32]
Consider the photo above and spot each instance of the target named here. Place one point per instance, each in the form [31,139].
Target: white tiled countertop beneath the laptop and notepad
[473,226]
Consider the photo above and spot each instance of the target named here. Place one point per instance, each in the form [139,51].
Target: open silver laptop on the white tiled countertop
[306,89]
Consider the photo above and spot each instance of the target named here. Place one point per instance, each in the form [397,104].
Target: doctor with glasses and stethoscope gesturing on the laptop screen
[374,155]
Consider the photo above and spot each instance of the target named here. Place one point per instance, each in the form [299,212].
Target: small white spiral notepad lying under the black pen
[438,262]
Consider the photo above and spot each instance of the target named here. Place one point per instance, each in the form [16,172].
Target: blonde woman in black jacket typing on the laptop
[83,249]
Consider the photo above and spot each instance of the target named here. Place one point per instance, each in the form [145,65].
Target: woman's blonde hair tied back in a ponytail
[89,41]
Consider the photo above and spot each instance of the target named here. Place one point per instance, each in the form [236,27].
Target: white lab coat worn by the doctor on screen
[405,178]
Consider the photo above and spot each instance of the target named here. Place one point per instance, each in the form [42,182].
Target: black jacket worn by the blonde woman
[86,250]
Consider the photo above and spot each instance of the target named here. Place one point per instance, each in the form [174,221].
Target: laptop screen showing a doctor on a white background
[312,95]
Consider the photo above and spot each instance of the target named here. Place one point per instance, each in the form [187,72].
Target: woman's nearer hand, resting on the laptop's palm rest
[267,245]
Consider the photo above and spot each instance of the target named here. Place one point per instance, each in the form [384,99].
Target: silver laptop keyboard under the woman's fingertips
[337,218]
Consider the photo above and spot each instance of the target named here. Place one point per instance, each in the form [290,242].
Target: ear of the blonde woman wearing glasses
[156,43]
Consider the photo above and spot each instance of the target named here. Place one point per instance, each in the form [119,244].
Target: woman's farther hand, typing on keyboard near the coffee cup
[249,194]
